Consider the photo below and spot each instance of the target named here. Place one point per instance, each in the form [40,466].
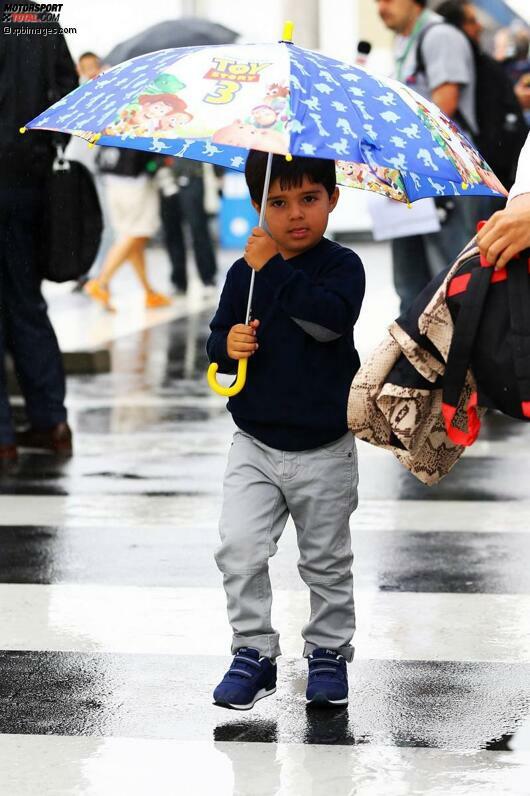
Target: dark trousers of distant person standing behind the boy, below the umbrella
[187,206]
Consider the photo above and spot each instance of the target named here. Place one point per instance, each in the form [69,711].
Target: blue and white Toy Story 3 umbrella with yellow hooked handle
[215,103]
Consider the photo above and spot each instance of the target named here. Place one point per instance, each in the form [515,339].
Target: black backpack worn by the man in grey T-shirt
[502,128]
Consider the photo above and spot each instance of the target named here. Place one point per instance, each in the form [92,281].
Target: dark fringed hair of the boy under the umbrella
[291,173]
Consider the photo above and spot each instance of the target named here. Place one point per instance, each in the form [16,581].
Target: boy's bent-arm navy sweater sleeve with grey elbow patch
[326,309]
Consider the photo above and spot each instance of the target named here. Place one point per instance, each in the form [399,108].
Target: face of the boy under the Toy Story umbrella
[297,217]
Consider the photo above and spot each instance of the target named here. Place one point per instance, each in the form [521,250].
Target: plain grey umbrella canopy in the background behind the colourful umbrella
[185,32]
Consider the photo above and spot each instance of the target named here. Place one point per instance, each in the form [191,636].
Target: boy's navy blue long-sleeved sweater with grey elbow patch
[298,380]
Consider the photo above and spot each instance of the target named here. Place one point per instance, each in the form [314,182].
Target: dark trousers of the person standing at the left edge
[25,329]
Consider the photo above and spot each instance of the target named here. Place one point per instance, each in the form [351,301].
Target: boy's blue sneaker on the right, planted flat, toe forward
[327,682]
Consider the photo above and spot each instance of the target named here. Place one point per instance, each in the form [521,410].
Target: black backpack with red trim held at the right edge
[491,314]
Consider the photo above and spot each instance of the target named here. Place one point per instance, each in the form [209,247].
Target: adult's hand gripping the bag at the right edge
[506,233]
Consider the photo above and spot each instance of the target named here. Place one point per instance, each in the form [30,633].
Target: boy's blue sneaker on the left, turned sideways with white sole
[249,678]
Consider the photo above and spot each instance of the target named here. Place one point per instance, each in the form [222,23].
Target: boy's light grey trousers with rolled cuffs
[262,486]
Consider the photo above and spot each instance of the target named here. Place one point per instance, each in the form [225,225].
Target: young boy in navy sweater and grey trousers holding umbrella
[292,452]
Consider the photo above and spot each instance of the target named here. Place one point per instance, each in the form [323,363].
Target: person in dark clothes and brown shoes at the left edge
[34,70]
